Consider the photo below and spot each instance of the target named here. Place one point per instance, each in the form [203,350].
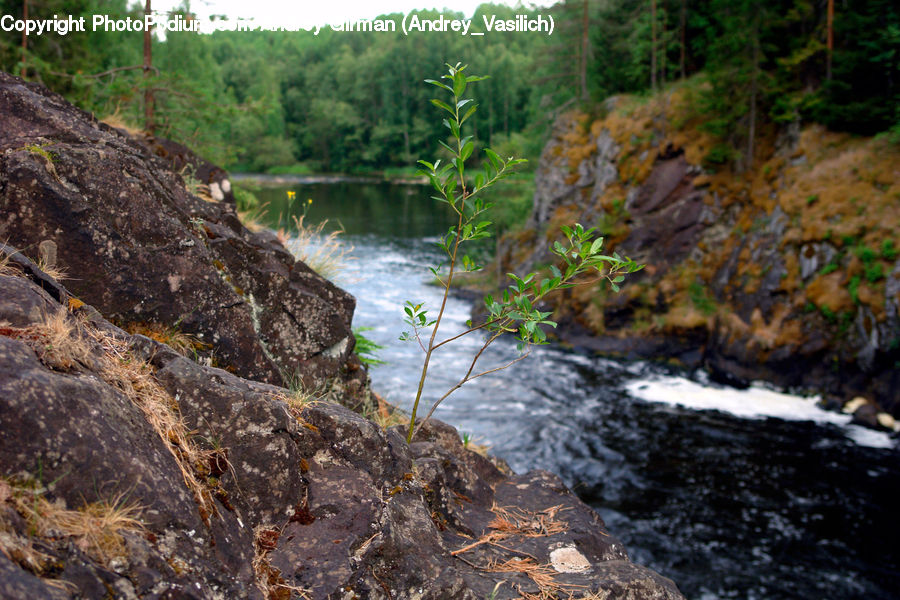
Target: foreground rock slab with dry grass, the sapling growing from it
[246,493]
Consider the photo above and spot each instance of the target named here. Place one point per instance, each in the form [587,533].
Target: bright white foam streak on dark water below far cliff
[754,403]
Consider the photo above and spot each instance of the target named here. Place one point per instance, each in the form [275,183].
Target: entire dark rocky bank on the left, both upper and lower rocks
[130,470]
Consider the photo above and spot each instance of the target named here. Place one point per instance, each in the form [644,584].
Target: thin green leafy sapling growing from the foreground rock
[516,312]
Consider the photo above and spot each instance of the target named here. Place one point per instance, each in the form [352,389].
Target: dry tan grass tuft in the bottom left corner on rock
[96,528]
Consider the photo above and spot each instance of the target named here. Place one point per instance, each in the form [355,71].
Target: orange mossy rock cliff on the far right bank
[788,273]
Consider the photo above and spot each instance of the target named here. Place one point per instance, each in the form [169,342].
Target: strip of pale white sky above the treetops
[308,13]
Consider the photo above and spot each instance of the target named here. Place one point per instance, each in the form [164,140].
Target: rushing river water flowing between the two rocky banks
[732,494]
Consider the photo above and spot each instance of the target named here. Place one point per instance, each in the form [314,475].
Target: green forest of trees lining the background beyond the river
[352,102]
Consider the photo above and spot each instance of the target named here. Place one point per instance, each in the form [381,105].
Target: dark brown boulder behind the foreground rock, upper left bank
[147,252]
